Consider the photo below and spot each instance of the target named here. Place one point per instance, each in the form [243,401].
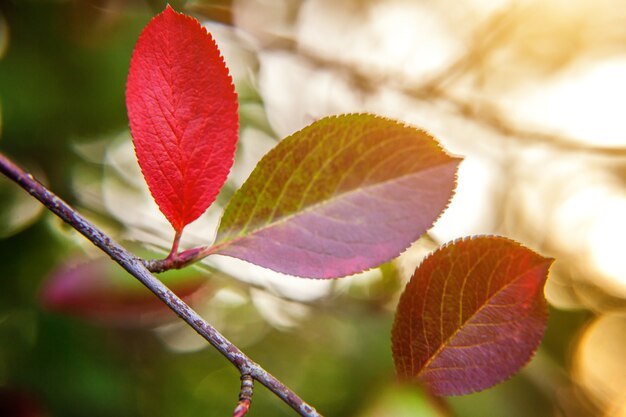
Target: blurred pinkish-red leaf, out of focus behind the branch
[100,291]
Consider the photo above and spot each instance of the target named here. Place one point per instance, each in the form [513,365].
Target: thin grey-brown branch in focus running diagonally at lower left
[134,266]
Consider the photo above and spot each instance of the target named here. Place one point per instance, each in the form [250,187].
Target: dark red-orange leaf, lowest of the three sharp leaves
[471,316]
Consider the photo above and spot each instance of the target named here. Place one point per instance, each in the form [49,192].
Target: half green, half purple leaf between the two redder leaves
[345,194]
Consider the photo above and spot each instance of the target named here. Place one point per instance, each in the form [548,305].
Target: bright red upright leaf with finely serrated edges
[183,117]
